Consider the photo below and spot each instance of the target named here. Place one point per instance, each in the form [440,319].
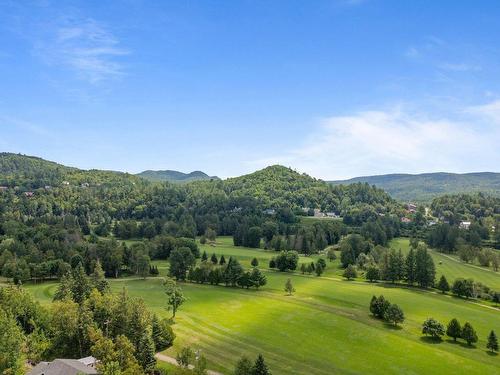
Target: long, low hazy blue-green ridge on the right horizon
[425,187]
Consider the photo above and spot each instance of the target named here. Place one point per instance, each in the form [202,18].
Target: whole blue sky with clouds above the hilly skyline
[332,88]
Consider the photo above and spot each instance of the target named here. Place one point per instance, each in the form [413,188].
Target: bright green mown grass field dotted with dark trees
[324,328]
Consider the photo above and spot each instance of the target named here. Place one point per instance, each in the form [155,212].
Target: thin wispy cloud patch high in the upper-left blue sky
[86,47]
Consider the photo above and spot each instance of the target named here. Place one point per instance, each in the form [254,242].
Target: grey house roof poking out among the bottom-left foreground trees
[66,367]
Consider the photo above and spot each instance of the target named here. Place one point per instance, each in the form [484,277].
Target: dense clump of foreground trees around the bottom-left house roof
[84,319]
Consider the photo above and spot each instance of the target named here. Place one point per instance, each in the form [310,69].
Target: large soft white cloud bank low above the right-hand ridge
[396,141]
